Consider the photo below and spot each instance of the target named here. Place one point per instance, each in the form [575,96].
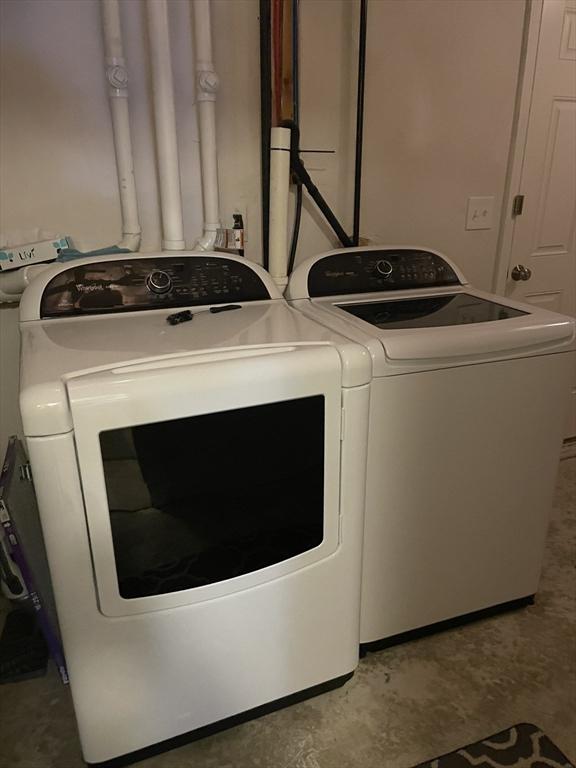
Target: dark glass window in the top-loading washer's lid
[431,311]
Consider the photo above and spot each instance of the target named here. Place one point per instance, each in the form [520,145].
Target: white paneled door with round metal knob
[542,264]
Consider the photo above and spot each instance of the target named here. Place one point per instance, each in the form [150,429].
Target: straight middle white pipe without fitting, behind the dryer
[165,121]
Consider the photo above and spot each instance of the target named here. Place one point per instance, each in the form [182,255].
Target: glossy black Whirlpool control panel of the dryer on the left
[132,284]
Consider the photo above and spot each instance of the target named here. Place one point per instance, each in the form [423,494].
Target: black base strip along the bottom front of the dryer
[221,725]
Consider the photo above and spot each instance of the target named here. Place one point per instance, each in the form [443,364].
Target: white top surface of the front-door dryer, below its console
[55,350]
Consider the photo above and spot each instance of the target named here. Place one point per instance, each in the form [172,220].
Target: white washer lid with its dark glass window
[446,328]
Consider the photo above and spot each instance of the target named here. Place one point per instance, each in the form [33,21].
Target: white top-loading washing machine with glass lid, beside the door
[467,413]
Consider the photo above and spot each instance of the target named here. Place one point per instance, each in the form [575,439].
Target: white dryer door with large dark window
[208,474]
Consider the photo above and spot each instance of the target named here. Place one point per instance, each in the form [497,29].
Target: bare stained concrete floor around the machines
[403,706]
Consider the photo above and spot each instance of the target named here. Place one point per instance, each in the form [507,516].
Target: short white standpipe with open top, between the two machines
[279,187]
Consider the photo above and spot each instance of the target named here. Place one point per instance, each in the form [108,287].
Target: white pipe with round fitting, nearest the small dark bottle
[206,89]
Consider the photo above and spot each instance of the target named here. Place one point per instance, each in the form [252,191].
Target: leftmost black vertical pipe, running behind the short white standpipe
[265,121]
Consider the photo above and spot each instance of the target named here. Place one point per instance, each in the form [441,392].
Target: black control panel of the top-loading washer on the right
[375,270]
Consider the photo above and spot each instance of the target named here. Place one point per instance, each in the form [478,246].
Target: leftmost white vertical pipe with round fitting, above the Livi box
[117,77]
